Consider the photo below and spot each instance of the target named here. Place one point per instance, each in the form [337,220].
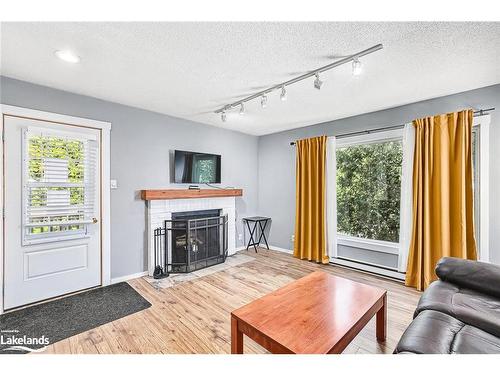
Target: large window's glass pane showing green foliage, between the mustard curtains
[369,189]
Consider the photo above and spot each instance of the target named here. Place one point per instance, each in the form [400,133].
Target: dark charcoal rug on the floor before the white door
[32,328]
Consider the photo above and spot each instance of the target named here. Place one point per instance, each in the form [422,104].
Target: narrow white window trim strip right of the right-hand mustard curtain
[484,186]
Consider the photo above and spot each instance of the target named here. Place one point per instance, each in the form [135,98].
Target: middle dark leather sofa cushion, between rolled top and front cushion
[473,308]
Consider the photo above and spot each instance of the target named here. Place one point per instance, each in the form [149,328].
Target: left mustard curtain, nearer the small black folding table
[310,220]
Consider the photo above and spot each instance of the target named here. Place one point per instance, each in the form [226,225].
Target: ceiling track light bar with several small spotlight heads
[356,70]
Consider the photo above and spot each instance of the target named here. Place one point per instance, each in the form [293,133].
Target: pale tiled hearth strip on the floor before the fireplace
[179,278]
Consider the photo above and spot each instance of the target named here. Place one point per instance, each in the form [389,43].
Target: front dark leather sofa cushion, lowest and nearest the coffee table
[433,332]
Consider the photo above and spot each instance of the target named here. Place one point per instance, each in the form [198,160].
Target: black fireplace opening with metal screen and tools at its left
[190,241]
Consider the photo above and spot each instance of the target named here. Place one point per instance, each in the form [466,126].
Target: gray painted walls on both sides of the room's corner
[264,167]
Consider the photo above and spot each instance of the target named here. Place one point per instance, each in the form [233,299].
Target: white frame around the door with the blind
[105,128]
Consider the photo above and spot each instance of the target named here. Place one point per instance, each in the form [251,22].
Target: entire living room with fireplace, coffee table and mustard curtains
[250,187]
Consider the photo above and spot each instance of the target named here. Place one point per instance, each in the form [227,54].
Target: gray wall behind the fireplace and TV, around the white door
[140,144]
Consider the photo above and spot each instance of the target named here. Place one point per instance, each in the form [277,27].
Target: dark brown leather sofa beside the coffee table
[459,313]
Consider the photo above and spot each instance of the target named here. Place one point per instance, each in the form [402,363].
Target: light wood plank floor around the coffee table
[194,317]
